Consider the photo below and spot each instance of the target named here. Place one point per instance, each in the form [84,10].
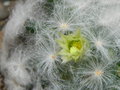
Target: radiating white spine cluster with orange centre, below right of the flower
[96,75]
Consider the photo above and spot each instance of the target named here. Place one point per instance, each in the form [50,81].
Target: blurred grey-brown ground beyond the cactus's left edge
[6,7]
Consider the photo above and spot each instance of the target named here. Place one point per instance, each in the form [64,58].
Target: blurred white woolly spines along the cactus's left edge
[14,56]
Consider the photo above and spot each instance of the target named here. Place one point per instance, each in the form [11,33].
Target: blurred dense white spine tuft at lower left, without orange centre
[17,68]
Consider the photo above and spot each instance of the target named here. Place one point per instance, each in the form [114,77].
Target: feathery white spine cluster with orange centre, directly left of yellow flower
[47,57]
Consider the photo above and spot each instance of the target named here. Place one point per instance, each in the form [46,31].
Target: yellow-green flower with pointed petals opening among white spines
[73,46]
